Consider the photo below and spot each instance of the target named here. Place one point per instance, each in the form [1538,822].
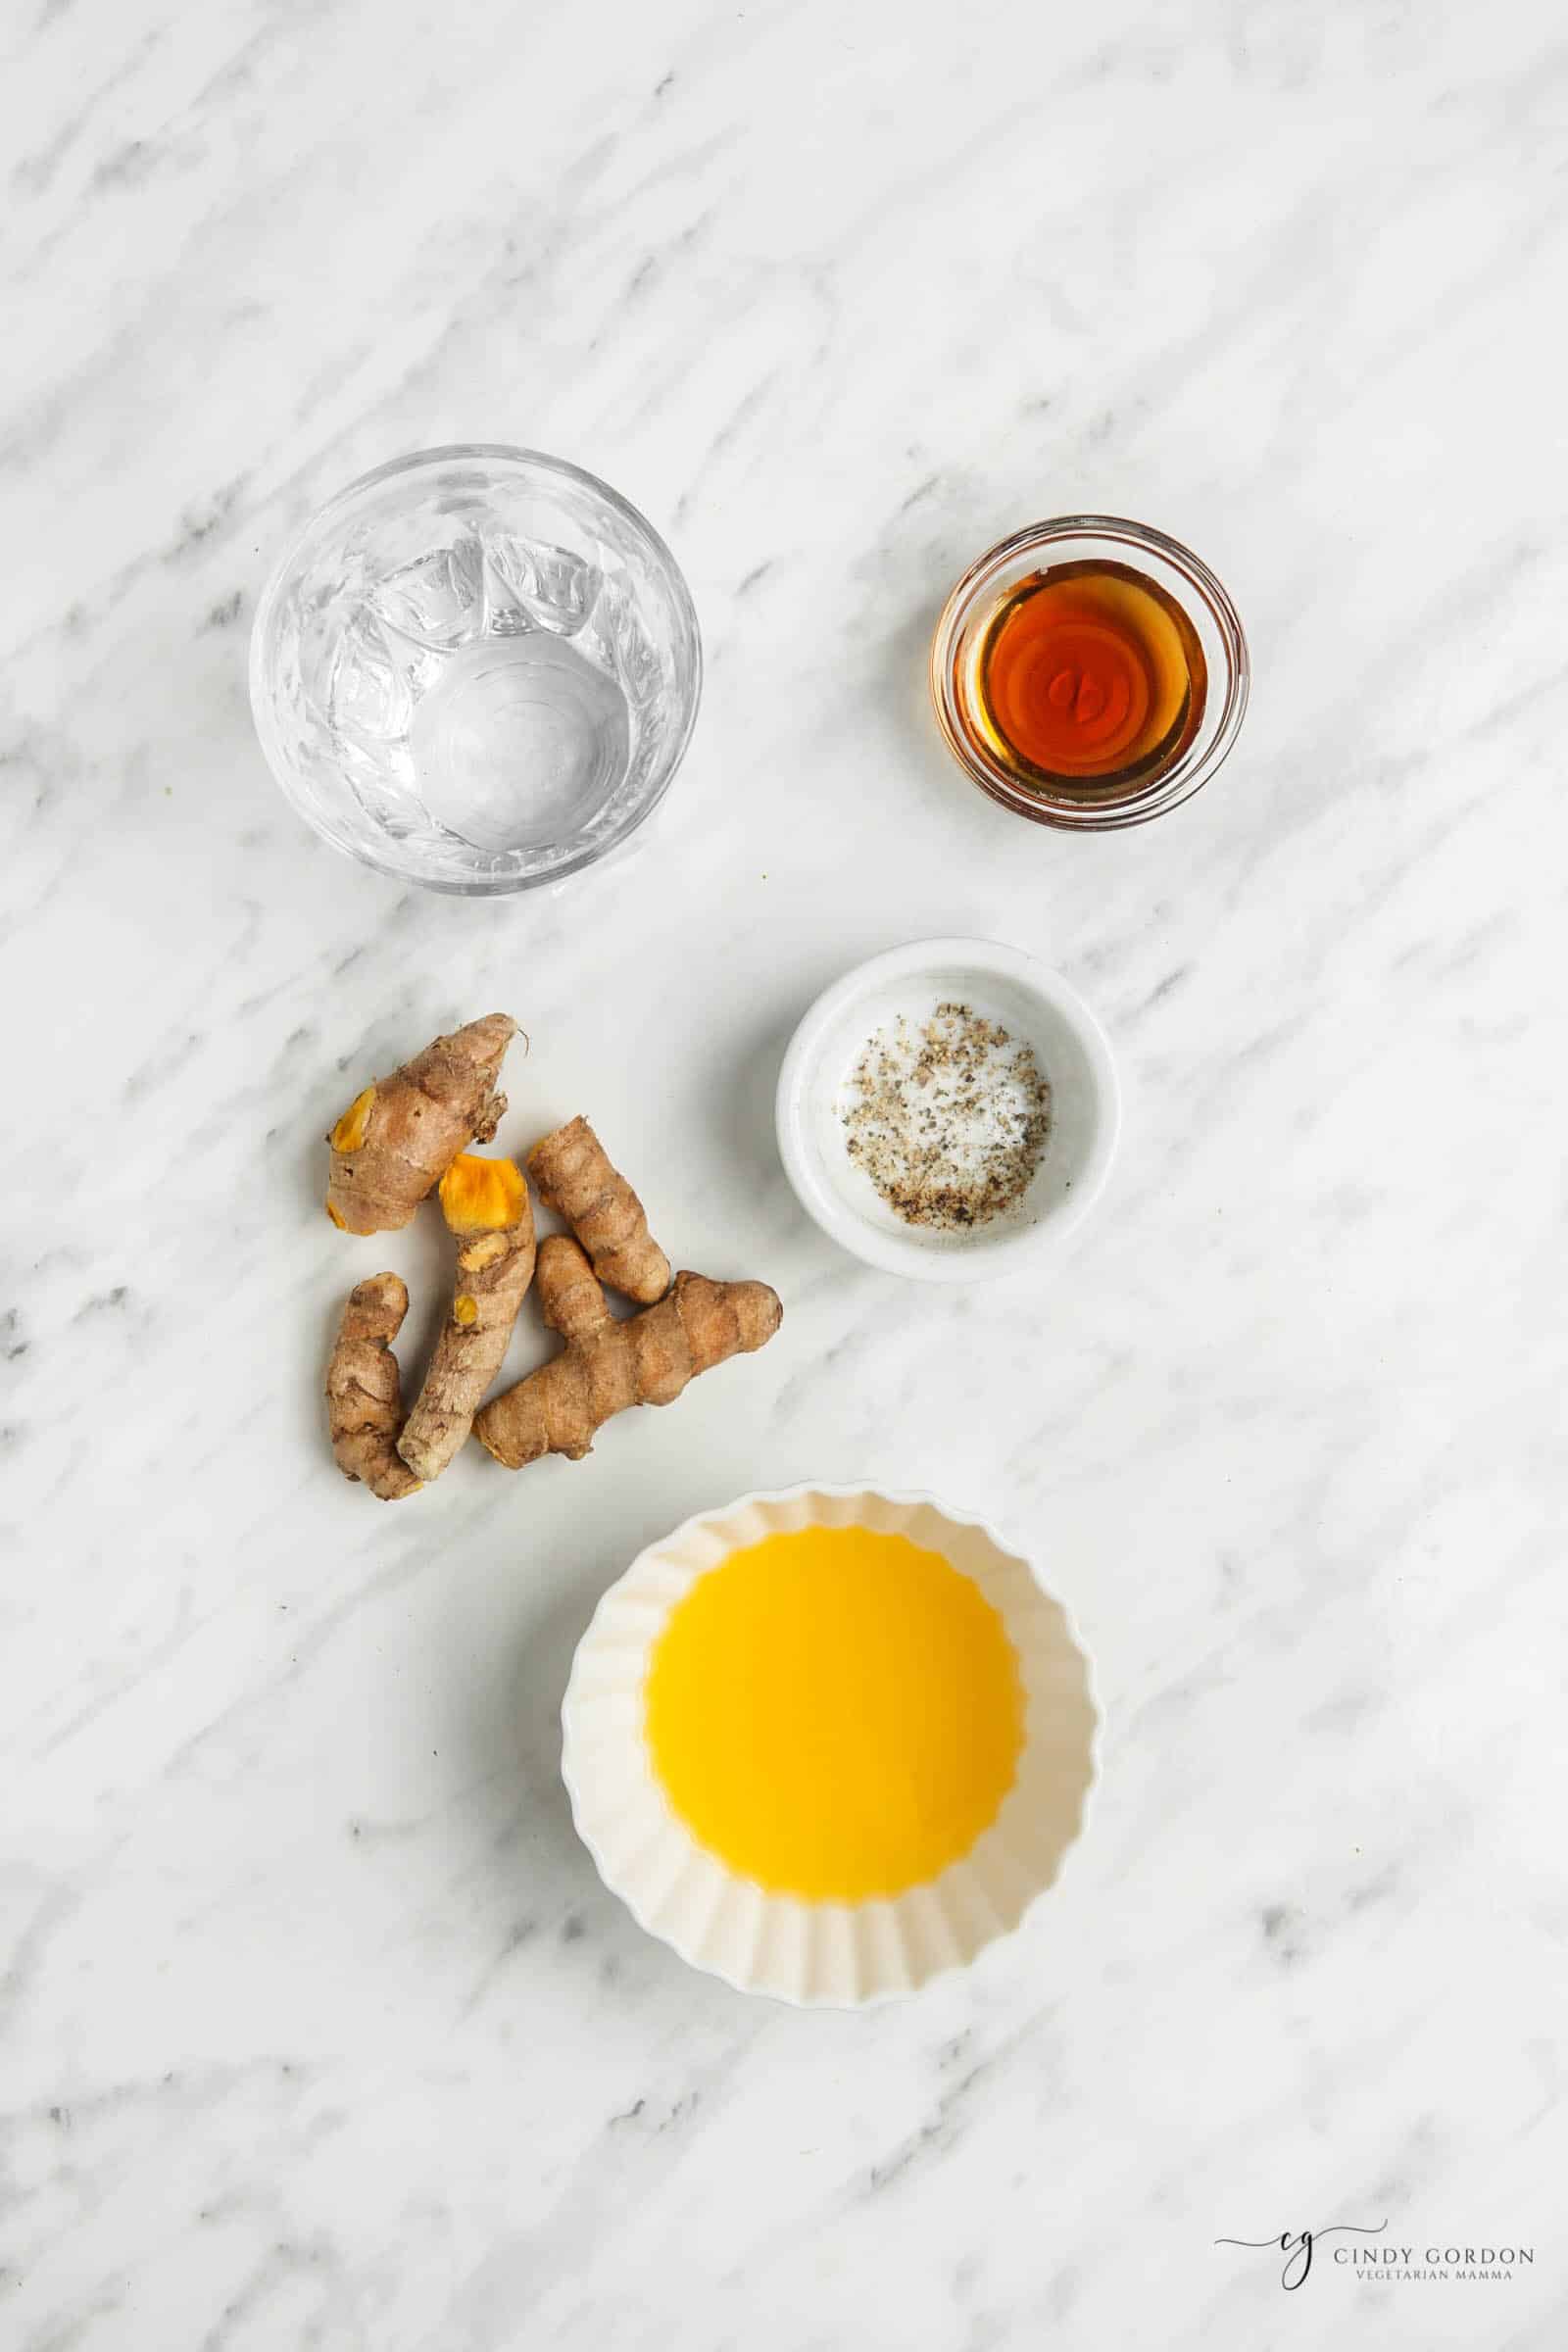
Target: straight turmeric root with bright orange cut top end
[488,1208]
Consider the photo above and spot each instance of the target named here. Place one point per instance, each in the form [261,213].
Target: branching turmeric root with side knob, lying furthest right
[610,1365]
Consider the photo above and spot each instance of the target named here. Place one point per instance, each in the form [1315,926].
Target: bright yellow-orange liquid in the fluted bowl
[836,1713]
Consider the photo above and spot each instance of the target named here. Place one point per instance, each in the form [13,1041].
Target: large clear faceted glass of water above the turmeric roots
[476,669]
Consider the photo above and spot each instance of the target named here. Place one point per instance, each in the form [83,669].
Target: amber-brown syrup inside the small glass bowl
[1090,679]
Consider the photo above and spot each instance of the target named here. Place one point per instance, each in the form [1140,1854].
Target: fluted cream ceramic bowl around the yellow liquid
[836,1956]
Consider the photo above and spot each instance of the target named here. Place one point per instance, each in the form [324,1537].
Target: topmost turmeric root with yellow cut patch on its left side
[403,1132]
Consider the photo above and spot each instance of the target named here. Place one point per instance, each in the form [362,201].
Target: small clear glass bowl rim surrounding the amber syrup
[960,643]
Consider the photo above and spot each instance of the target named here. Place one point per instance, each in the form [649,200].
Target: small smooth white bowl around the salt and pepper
[1036,1008]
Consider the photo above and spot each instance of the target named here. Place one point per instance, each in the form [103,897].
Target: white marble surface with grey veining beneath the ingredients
[316,2026]
